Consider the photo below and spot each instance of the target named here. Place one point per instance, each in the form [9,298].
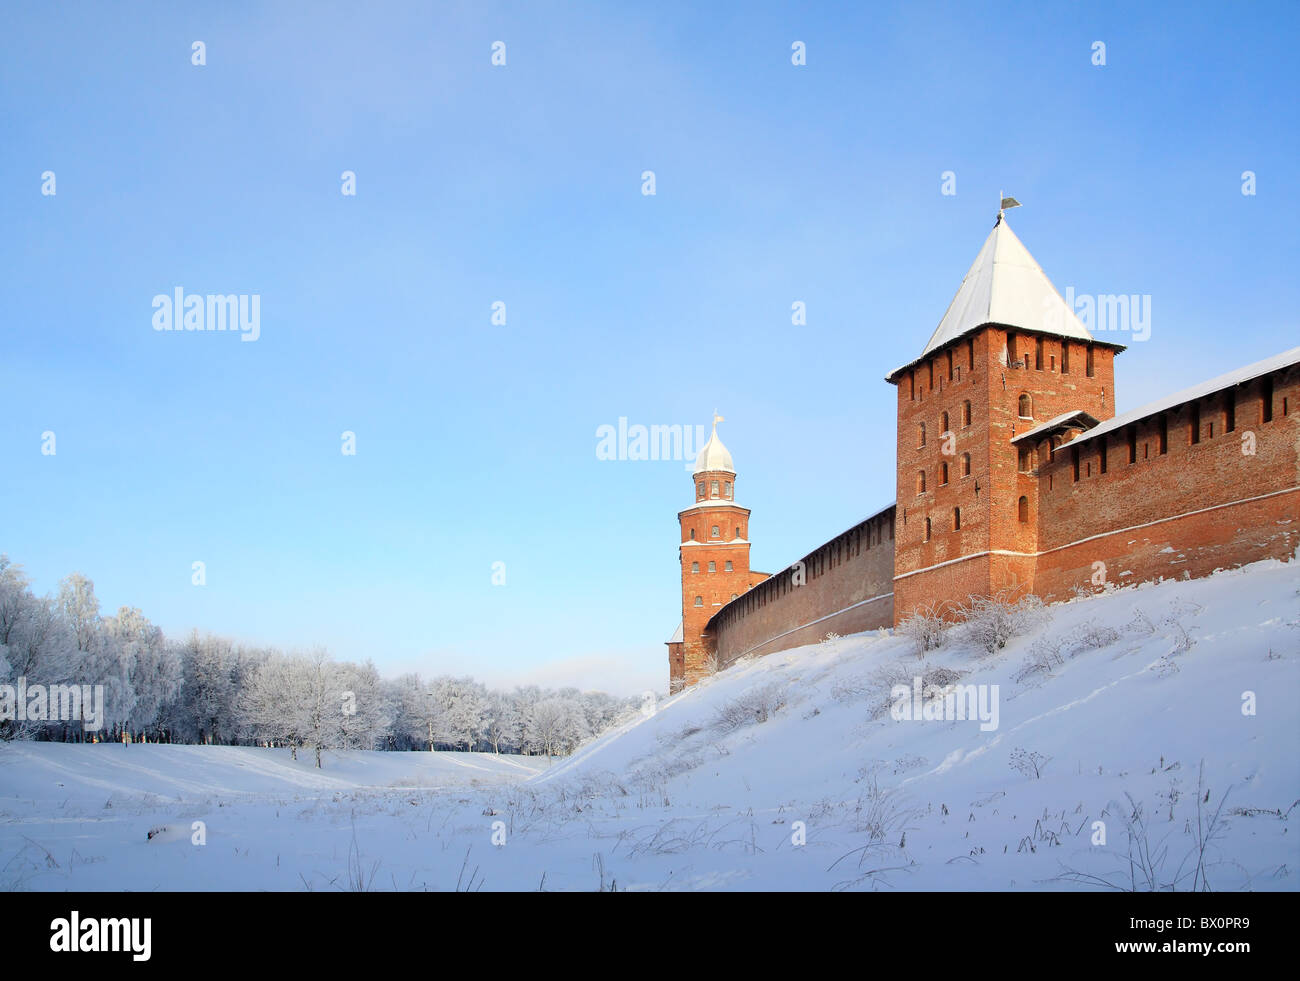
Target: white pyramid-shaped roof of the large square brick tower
[1004,285]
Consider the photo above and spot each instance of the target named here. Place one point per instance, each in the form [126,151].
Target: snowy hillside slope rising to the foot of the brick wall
[1151,683]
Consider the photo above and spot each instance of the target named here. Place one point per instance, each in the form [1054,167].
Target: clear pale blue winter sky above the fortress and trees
[523,185]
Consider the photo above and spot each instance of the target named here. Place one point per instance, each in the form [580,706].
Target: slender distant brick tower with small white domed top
[714,555]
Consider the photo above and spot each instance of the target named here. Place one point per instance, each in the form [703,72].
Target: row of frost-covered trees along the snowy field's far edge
[207,689]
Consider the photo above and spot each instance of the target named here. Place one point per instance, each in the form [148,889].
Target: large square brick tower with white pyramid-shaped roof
[1008,376]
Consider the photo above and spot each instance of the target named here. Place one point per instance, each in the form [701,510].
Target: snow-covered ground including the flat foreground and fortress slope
[783,774]
